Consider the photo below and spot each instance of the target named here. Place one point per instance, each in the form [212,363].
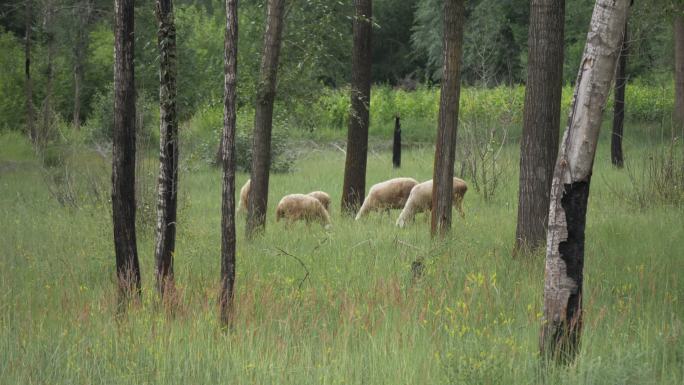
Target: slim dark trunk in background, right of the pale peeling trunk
[619,105]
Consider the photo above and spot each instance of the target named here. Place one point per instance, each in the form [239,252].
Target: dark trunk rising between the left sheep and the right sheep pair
[354,186]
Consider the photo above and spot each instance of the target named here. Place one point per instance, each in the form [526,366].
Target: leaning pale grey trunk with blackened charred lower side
[562,323]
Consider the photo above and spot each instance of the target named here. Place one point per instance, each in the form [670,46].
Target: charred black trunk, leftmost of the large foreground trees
[123,153]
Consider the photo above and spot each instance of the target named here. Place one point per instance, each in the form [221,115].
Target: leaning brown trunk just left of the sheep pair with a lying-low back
[263,119]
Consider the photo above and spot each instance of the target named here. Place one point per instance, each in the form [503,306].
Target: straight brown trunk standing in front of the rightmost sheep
[445,149]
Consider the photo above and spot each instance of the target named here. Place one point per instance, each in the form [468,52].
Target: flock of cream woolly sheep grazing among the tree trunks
[405,194]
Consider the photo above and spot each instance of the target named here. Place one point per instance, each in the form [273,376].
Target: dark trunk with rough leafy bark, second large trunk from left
[168,148]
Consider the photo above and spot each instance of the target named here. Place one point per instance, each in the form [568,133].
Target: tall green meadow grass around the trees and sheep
[359,316]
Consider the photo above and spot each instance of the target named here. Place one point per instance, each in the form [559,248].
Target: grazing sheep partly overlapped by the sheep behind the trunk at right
[390,194]
